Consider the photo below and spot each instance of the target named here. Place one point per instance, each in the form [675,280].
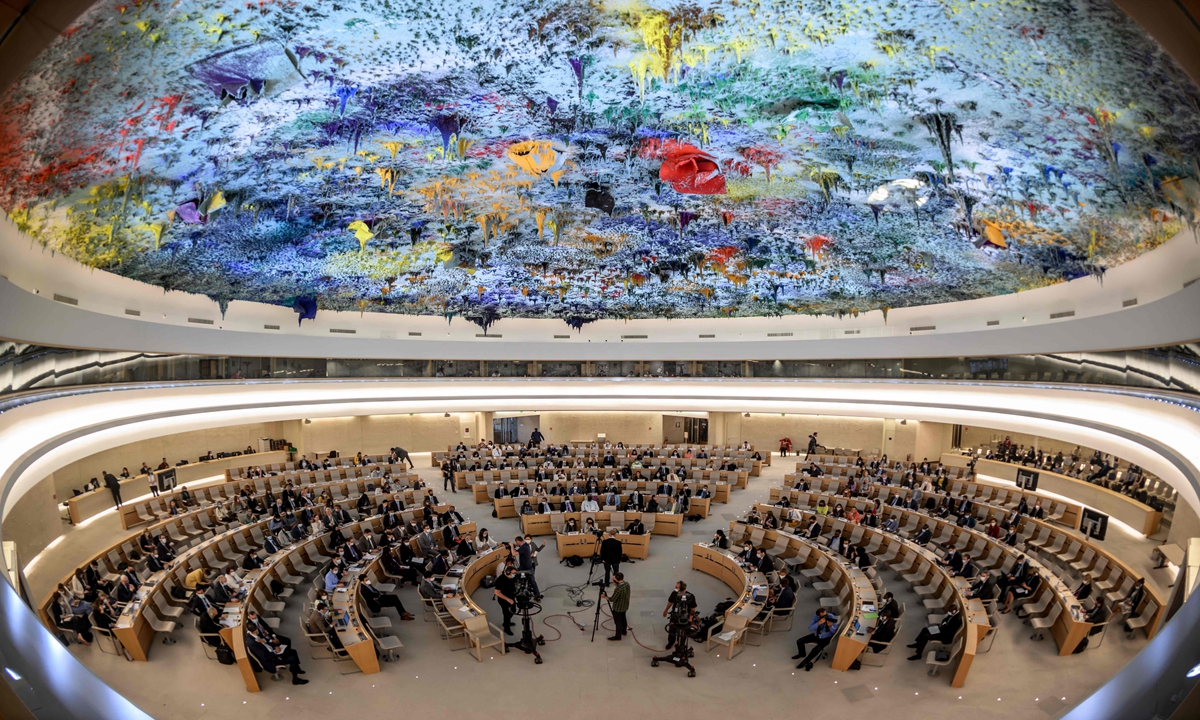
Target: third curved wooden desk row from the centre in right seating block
[919,560]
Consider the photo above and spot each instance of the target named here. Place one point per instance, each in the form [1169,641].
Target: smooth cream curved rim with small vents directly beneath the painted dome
[40,321]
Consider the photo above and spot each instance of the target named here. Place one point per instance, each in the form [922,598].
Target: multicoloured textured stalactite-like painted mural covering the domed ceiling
[593,159]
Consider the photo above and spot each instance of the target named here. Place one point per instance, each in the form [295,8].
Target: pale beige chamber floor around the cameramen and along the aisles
[1017,679]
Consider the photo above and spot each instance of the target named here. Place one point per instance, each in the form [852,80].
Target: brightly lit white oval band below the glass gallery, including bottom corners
[39,437]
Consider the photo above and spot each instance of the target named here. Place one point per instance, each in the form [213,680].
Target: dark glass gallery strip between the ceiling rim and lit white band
[31,368]
